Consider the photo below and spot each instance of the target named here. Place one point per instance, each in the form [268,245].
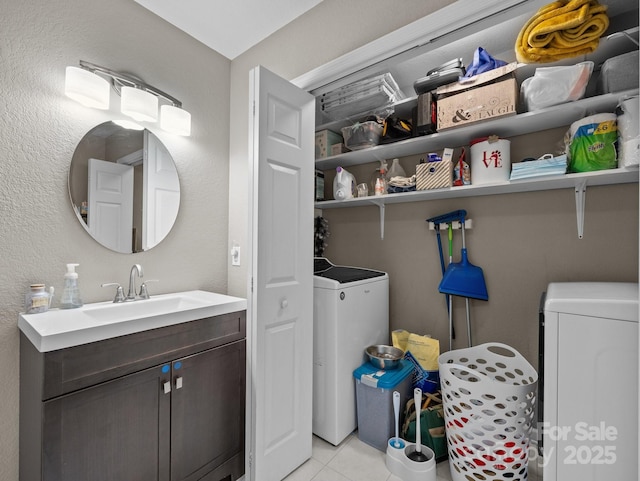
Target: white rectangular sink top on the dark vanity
[62,328]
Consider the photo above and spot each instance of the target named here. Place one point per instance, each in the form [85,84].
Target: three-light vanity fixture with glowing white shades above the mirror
[87,84]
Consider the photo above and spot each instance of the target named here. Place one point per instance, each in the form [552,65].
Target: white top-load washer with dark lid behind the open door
[350,312]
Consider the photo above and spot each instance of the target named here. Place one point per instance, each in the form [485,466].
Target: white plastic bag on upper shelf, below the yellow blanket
[555,85]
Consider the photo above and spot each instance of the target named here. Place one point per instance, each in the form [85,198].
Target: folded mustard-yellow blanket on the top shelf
[562,30]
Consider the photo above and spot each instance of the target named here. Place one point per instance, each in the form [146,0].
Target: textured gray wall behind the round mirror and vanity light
[39,129]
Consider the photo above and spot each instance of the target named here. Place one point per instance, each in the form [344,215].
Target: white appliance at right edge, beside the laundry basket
[590,381]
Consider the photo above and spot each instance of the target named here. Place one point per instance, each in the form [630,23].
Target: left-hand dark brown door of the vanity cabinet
[117,430]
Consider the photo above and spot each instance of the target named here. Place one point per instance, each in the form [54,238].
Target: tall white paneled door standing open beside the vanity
[280,307]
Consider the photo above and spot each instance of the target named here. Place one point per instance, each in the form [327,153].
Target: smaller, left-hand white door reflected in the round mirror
[110,199]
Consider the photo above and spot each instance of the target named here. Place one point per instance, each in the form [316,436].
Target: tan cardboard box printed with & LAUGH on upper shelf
[481,103]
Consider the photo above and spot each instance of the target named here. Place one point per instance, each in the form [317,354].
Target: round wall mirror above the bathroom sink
[124,187]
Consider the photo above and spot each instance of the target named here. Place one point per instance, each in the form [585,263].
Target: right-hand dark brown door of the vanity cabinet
[207,410]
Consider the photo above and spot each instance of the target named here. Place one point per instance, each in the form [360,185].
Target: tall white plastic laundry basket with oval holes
[488,395]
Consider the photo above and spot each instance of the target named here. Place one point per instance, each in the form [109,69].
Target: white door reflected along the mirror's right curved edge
[160,193]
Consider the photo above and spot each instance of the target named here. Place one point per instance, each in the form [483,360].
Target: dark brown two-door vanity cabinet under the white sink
[165,404]
